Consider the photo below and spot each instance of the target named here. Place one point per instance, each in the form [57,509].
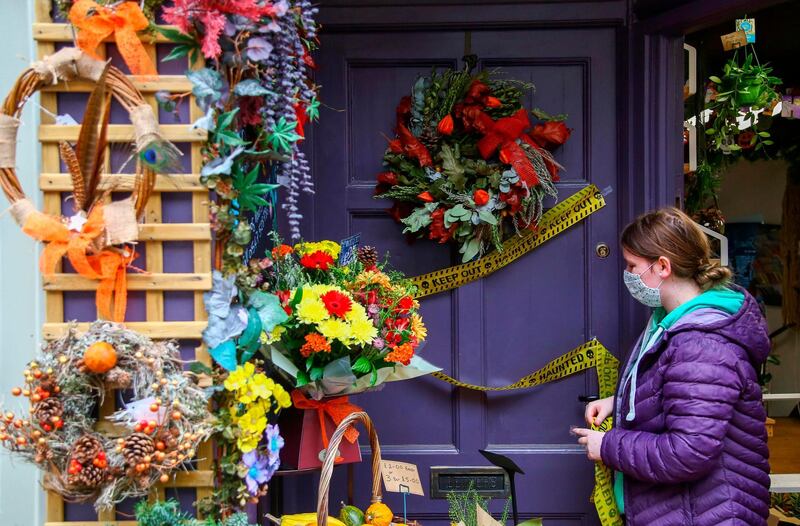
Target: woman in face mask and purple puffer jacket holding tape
[689,445]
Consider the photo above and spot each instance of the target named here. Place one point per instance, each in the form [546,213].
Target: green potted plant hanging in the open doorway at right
[742,92]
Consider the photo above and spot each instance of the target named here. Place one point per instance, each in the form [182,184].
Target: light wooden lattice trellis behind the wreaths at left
[153,234]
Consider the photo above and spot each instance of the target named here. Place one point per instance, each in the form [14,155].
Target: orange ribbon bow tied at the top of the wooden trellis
[97,22]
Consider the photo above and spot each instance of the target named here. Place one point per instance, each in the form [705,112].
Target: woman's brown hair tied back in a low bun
[670,233]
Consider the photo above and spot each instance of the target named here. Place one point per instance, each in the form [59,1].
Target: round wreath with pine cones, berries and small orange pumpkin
[145,441]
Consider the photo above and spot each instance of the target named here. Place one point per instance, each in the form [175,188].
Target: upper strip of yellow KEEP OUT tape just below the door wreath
[575,208]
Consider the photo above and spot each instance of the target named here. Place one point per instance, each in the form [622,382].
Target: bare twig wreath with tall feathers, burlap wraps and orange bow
[96,238]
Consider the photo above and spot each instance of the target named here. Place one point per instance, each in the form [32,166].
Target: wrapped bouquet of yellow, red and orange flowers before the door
[345,328]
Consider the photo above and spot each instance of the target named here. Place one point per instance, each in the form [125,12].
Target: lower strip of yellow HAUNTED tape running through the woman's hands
[590,354]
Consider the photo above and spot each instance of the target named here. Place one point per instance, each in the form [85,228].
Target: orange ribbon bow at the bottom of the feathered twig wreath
[108,266]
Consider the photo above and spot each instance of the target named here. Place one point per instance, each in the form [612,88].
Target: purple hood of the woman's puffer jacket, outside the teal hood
[747,327]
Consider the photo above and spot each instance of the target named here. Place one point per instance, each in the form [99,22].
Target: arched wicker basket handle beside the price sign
[330,459]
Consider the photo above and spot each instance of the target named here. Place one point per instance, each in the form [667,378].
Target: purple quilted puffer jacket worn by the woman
[696,452]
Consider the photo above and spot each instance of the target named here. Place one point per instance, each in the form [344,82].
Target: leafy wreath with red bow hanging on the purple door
[466,164]
